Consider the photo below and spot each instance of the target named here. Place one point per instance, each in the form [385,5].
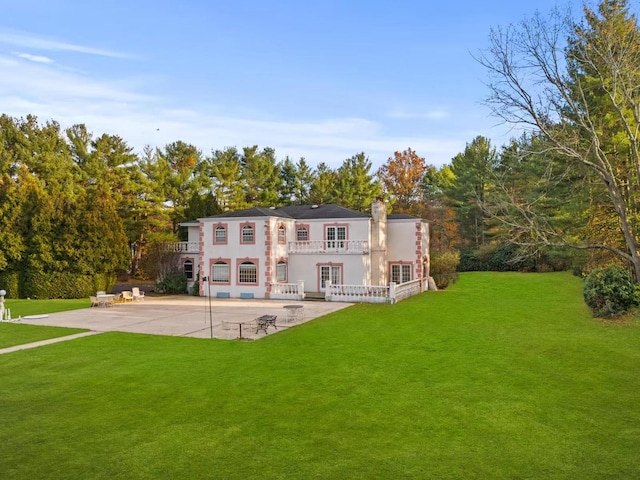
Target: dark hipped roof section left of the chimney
[298,212]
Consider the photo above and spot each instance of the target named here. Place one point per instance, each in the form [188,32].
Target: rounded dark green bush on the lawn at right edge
[610,291]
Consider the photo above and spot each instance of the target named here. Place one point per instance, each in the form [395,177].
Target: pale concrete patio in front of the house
[183,316]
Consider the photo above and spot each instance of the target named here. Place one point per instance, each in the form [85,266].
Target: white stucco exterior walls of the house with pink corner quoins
[377,243]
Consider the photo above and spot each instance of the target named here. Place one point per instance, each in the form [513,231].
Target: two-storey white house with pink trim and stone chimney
[297,251]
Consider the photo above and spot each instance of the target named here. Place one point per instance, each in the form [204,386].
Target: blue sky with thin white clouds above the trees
[322,80]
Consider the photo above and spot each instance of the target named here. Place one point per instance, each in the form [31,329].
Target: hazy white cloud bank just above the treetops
[119,108]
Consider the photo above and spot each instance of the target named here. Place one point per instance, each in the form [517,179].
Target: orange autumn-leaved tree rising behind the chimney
[402,178]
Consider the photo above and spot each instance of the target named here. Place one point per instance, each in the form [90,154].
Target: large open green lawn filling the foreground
[501,376]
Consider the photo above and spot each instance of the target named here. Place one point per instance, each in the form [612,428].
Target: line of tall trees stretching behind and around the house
[74,205]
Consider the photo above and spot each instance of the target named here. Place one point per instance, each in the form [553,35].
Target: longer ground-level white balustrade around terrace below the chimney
[374,294]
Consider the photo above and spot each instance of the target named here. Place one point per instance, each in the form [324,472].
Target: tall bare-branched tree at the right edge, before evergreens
[577,85]
